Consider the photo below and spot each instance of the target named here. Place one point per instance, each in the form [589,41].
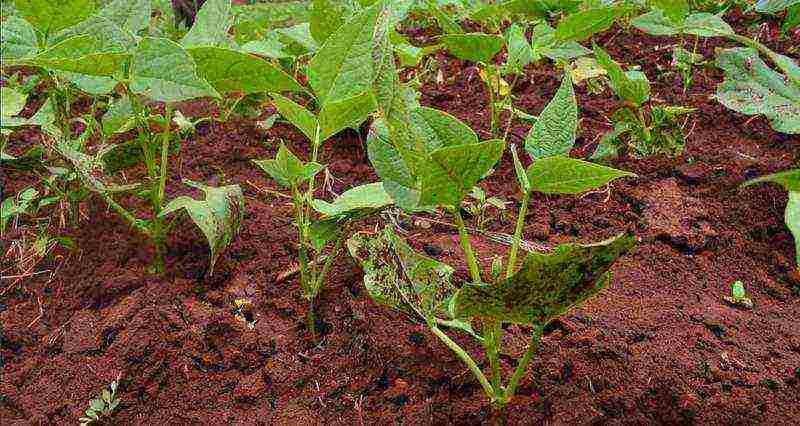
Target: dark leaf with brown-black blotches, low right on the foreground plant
[547,286]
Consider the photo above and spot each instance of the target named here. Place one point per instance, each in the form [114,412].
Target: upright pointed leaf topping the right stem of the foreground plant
[554,131]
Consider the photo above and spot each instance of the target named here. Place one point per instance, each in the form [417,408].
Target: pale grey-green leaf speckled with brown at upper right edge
[751,87]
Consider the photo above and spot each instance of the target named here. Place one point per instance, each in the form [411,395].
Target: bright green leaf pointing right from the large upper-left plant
[231,71]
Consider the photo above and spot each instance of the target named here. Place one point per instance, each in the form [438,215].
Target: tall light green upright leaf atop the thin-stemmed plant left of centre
[342,68]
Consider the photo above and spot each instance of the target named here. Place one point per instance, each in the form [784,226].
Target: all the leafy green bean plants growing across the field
[135,63]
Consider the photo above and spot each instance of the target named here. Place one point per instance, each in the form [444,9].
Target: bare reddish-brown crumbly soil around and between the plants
[659,345]
